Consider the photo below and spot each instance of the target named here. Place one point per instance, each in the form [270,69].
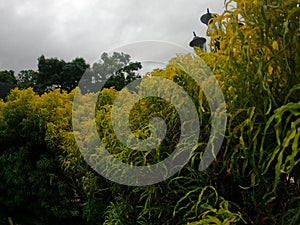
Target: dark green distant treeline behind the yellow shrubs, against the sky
[114,71]
